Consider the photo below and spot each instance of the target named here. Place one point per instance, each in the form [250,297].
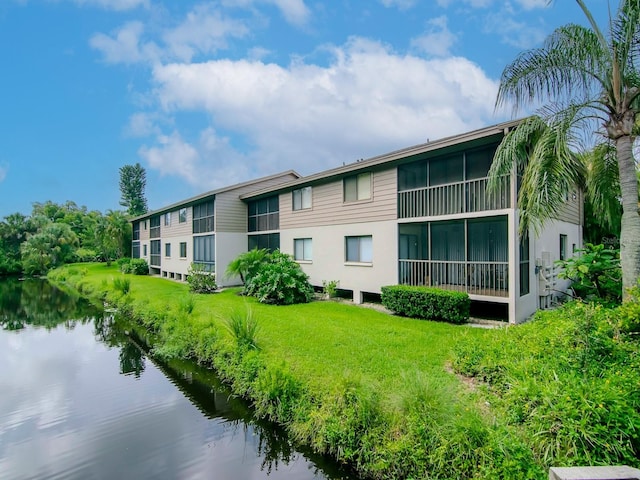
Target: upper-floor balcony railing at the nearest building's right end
[452,198]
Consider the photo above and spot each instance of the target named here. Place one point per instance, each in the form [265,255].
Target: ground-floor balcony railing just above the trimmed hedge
[477,278]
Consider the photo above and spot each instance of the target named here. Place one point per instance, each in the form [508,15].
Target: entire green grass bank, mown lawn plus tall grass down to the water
[375,391]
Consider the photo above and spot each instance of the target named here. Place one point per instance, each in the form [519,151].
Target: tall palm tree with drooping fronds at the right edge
[589,86]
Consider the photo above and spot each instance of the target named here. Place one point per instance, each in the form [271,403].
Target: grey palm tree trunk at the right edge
[630,231]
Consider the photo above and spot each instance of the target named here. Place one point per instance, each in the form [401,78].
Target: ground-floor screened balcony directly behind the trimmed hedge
[465,255]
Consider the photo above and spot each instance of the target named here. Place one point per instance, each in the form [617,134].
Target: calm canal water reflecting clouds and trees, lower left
[79,399]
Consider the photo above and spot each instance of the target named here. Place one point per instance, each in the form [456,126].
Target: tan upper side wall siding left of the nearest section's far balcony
[231,212]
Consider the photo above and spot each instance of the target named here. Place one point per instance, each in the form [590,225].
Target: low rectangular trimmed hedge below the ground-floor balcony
[427,302]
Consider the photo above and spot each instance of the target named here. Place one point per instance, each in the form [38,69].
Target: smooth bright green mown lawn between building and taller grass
[319,341]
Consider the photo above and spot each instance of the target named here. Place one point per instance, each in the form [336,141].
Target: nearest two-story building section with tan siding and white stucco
[421,216]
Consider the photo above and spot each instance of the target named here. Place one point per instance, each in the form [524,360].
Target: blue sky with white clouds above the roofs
[205,94]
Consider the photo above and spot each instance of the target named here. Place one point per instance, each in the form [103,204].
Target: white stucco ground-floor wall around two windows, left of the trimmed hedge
[328,262]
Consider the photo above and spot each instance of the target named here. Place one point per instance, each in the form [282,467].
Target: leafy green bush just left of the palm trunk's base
[595,272]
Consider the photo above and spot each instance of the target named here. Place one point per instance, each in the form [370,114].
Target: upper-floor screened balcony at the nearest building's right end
[450,184]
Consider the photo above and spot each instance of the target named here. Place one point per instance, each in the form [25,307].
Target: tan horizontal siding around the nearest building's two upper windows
[329,209]
